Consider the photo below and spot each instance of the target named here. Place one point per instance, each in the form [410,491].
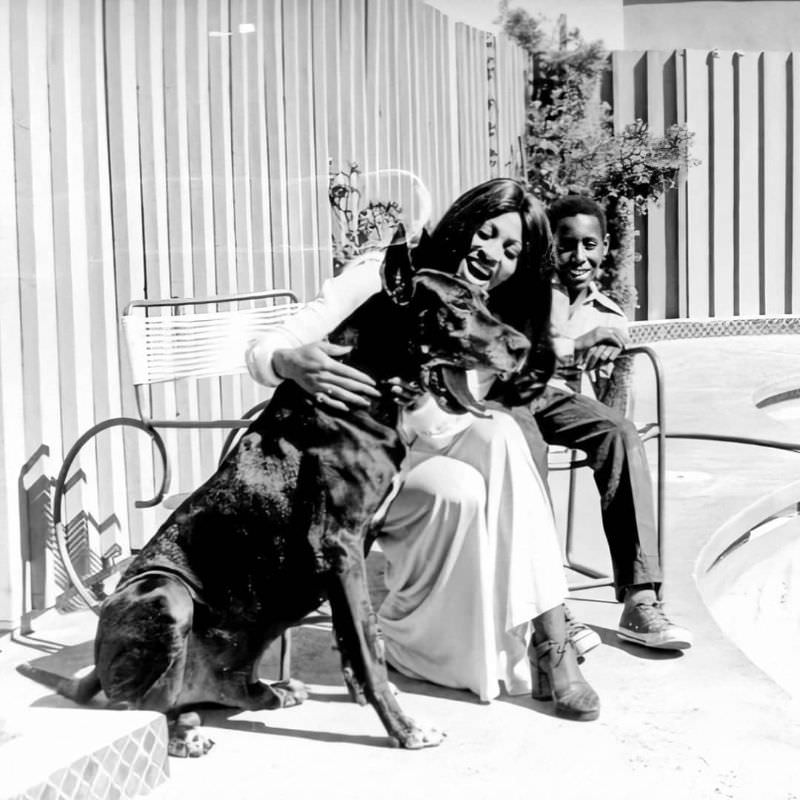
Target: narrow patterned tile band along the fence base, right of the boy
[665,329]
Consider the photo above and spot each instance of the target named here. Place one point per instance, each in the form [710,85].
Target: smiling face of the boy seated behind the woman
[580,250]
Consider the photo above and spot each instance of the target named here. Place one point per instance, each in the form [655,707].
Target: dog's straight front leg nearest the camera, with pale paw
[361,646]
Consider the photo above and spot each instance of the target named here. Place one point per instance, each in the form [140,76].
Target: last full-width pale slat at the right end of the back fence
[773,182]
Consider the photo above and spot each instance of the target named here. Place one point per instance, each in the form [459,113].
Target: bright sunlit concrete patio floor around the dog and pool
[706,723]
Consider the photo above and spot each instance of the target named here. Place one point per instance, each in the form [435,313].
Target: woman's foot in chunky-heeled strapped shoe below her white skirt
[554,669]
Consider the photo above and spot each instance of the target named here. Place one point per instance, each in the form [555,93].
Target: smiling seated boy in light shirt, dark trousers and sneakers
[589,332]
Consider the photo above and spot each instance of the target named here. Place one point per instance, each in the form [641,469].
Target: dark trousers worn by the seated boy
[617,458]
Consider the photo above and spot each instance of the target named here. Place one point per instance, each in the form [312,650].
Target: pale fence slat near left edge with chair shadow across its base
[39,309]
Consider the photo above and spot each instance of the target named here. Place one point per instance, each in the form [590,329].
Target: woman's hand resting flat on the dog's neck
[315,368]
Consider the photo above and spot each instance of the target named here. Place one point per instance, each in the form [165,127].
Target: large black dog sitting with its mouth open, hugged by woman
[285,523]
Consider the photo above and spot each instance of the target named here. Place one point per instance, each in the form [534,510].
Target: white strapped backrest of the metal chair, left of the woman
[169,340]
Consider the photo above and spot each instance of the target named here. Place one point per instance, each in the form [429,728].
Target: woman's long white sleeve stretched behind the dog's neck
[339,297]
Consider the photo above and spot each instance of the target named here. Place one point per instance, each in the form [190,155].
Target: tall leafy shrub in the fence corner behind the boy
[572,148]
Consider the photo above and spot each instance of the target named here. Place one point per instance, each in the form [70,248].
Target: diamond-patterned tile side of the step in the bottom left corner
[131,766]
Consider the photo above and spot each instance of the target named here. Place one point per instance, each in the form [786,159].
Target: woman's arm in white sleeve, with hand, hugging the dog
[294,350]
